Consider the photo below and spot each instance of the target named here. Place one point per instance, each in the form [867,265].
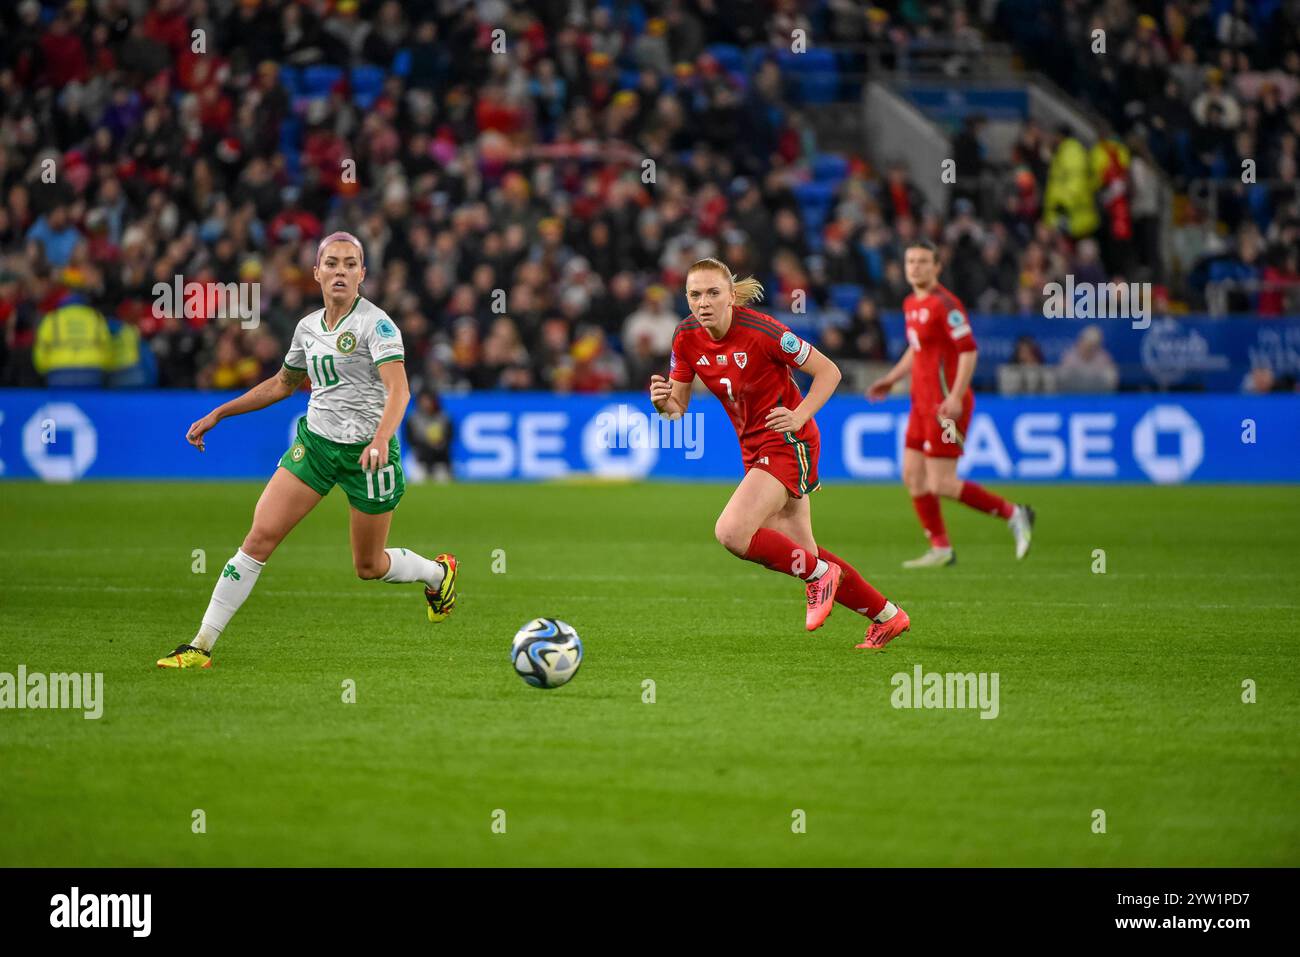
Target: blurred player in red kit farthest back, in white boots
[942,360]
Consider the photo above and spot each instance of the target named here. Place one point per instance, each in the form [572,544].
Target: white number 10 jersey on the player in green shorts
[343,363]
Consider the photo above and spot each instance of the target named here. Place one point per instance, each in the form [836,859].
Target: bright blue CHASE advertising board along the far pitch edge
[71,436]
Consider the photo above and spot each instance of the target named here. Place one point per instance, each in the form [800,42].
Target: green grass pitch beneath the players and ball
[1119,691]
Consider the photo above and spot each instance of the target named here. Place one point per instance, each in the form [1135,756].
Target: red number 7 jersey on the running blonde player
[748,370]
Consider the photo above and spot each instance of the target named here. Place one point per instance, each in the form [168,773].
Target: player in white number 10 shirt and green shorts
[354,357]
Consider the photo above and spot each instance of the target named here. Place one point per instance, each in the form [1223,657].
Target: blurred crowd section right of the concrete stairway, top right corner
[1207,90]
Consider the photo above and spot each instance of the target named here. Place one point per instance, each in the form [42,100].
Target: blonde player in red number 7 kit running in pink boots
[746,360]
